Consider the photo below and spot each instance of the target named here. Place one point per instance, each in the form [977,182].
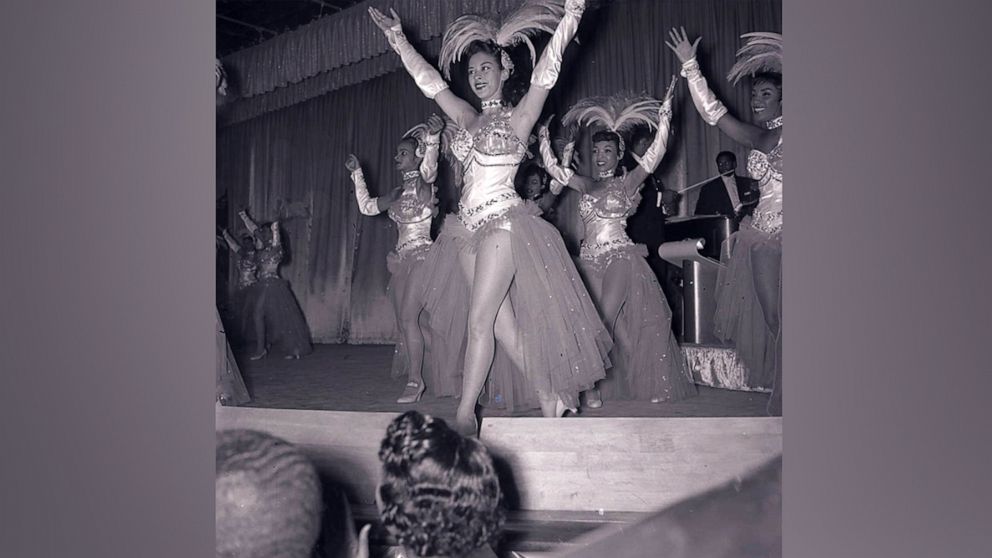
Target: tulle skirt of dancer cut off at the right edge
[754,265]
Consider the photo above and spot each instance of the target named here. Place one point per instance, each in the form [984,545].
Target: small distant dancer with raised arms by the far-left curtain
[276,316]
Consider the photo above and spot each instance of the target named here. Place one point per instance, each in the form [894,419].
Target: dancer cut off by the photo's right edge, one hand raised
[749,292]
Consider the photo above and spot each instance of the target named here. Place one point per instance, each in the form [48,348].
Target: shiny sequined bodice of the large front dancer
[490,159]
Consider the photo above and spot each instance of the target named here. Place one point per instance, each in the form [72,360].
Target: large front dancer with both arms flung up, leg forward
[526,292]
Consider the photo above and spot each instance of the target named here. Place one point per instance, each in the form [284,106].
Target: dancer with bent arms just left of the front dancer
[412,206]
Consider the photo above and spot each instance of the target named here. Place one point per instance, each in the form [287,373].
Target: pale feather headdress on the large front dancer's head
[530,19]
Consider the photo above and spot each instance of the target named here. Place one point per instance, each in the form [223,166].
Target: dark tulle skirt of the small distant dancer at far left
[285,327]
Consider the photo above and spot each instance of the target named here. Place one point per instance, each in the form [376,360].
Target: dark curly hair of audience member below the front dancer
[439,494]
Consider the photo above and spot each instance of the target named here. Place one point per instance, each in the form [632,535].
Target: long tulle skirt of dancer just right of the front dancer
[653,365]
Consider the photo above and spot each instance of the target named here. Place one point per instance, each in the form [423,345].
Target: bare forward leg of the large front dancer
[491,282]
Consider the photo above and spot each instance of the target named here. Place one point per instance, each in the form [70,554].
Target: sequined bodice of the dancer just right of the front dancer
[605,218]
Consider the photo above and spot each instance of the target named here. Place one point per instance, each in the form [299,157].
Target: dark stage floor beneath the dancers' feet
[356,378]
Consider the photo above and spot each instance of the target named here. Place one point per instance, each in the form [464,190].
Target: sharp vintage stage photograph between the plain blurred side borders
[499,278]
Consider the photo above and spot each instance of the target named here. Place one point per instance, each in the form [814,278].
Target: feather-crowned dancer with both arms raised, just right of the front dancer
[647,361]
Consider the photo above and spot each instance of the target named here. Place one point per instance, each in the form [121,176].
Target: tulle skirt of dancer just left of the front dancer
[412,275]
